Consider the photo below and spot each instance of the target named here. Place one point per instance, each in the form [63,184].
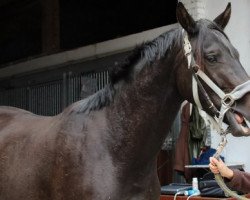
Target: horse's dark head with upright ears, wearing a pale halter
[214,63]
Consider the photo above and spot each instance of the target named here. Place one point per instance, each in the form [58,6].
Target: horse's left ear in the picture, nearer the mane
[186,21]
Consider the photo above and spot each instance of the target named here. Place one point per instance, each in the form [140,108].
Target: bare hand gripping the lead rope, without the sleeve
[218,166]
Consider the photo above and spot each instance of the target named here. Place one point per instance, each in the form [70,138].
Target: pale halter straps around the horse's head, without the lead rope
[227,99]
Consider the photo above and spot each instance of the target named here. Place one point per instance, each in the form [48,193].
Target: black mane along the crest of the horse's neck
[143,55]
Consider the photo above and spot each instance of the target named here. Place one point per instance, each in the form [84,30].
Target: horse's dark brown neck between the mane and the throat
[143,113]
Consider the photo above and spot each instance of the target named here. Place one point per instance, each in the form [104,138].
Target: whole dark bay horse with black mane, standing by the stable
[105,146]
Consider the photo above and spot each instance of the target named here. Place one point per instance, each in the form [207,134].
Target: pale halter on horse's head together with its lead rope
[227,100]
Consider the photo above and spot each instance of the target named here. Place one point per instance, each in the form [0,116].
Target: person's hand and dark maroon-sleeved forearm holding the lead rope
[235,179]
